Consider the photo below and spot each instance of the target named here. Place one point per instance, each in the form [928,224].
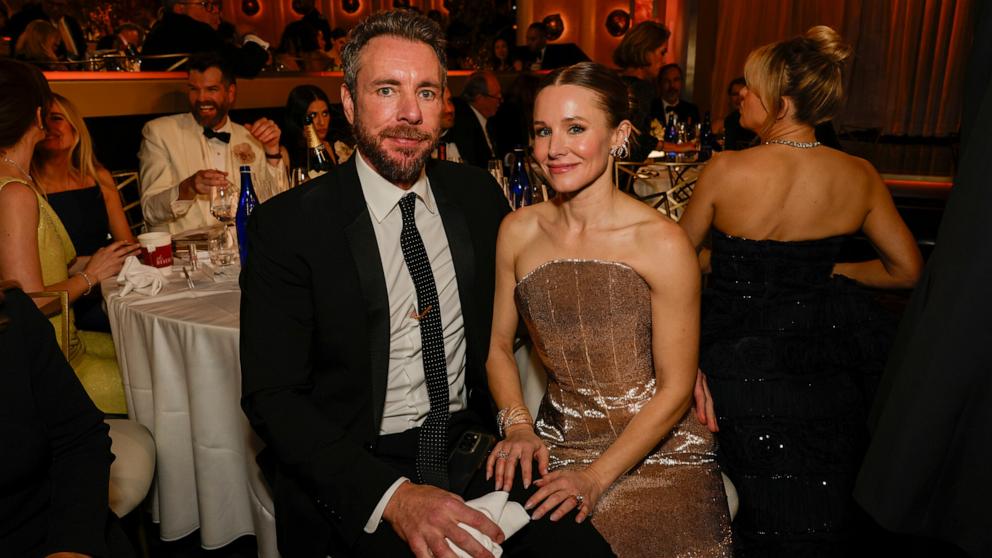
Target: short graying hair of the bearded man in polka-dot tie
[402,24]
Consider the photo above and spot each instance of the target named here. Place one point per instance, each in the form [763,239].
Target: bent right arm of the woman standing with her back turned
[899,263]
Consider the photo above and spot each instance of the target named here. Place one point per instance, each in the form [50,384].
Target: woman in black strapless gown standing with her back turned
[788,335]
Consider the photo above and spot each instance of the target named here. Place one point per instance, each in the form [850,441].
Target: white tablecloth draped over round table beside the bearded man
[178,353]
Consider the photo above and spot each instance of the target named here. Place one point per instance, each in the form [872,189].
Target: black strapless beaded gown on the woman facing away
[790,354]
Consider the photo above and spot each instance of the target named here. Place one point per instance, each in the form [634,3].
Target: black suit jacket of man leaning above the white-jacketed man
[177,33]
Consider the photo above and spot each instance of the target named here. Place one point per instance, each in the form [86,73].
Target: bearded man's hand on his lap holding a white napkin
[424,516]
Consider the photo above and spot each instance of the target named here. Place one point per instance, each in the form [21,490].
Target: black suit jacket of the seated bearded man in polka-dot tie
[315,342]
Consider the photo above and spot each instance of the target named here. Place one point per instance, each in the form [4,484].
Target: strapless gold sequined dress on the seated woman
[590,322]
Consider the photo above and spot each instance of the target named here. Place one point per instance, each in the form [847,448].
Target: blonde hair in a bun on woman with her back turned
[808,69]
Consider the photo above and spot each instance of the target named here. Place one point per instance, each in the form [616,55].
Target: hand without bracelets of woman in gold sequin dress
[563,491]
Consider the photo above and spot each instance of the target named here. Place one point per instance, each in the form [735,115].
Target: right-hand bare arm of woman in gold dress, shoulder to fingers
[669,266]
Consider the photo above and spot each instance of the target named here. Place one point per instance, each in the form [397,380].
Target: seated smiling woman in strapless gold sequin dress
[609,291]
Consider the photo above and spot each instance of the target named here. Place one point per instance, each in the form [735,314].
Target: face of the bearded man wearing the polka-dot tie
[396,107]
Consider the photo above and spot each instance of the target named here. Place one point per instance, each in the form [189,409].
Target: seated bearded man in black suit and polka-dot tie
[365,321]
